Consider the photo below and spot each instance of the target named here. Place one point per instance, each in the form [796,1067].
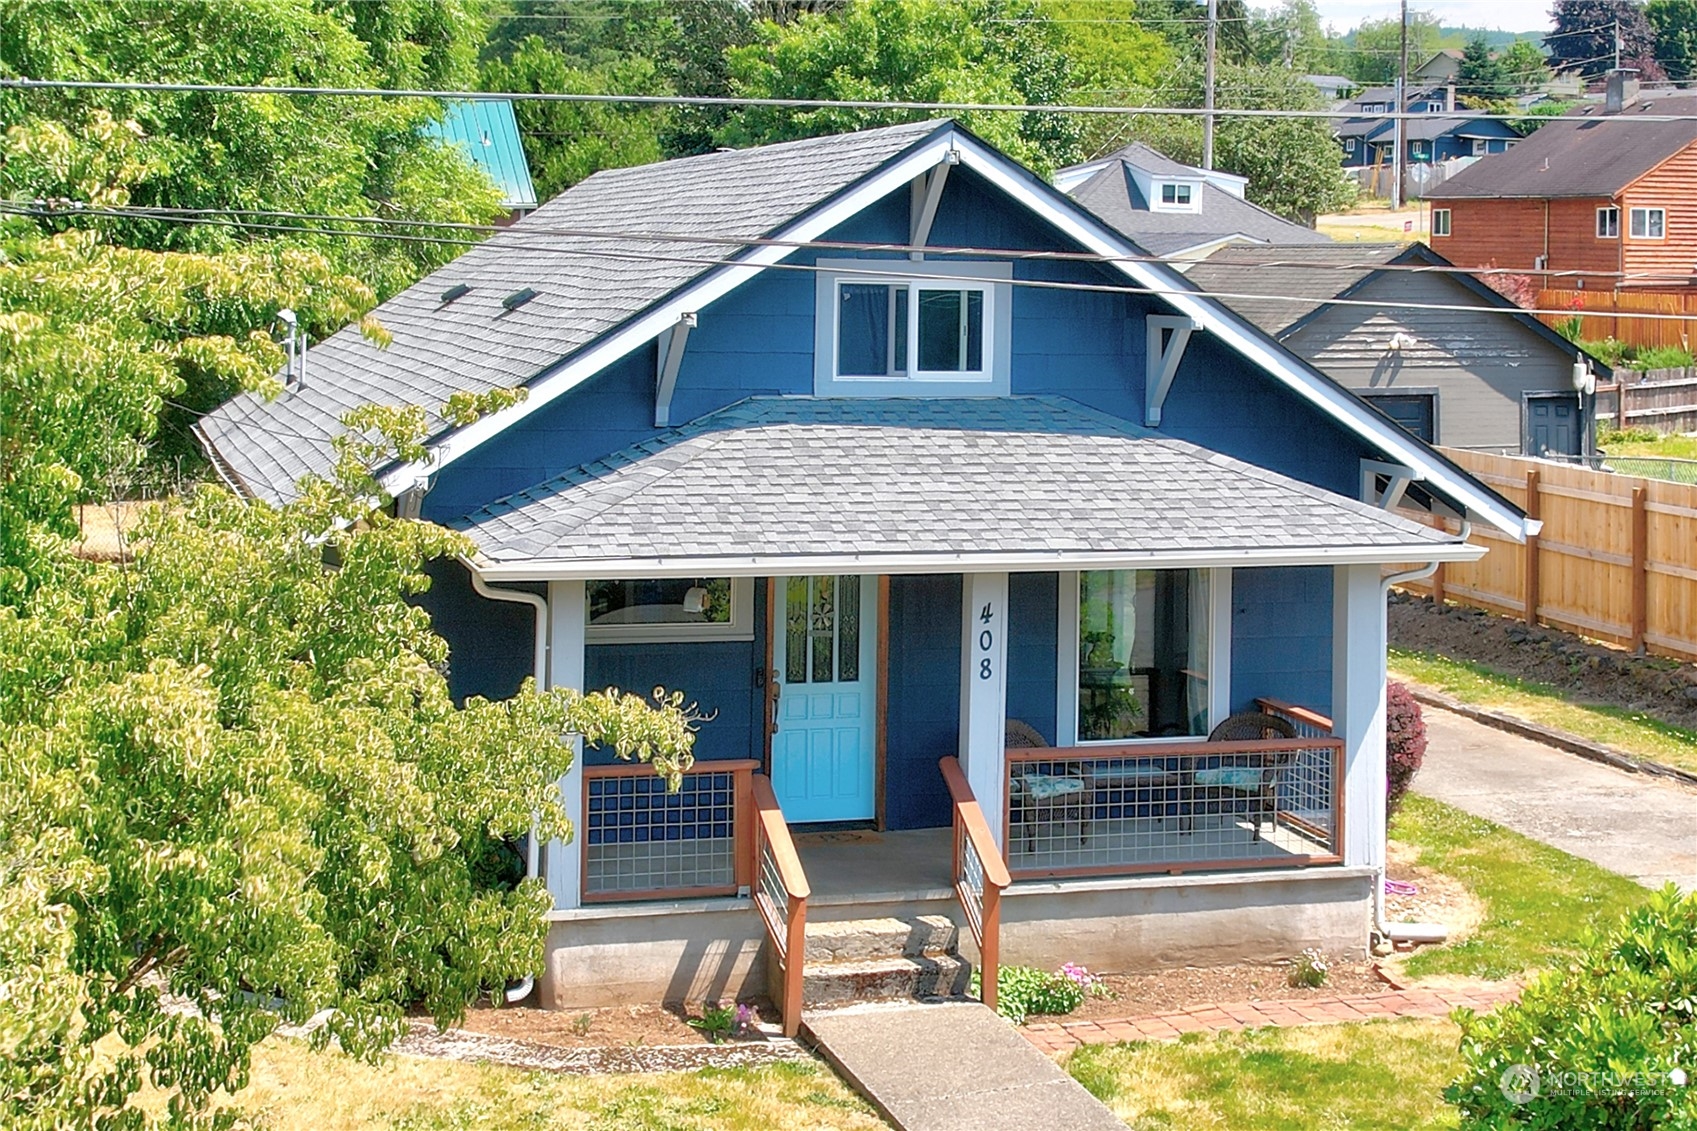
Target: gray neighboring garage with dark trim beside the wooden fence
[1469,380]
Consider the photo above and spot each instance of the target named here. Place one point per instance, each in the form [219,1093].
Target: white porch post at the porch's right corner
[1358,707]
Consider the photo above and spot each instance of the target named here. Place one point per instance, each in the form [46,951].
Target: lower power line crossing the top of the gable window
[910,271]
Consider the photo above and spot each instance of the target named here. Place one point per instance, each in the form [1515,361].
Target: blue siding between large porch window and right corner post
[1282,636]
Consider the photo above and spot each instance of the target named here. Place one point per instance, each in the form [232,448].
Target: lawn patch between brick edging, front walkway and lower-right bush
[1379,1076]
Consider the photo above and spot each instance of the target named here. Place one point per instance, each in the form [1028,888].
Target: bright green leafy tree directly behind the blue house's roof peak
[912,52]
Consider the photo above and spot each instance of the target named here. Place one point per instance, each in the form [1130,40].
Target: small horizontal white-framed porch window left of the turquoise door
[669,609]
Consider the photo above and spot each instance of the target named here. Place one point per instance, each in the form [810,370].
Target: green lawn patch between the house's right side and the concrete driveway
[1538,901]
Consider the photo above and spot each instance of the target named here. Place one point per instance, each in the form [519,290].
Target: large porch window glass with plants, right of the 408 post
[1143,655]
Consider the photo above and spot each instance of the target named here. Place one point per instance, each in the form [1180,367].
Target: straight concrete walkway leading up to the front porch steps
[953,1067]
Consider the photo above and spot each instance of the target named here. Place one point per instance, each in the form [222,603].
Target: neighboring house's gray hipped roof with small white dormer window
[1175,210]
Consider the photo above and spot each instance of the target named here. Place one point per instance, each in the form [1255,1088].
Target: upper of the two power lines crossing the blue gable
[532,228]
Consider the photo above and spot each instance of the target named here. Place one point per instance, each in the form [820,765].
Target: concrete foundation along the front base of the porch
[705,950]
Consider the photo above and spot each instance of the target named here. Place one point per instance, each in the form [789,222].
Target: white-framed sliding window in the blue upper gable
[900,329]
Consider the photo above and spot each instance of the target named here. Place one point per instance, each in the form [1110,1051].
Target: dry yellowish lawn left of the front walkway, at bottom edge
[296,1088]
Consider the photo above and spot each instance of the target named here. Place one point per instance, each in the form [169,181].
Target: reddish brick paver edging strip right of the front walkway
[1314,1011]
